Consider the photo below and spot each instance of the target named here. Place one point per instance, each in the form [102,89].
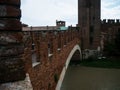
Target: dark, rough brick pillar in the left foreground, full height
[11,44]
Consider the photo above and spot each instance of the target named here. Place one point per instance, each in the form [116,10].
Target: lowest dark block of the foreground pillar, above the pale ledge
[11,69]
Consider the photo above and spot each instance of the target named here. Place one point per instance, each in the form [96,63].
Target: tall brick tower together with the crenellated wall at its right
[92,27]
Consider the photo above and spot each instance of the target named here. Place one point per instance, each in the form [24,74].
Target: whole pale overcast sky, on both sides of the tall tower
[46,12]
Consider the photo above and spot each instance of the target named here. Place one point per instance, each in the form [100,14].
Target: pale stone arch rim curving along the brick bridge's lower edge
[76,49]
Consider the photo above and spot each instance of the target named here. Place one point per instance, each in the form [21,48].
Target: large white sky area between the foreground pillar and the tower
[46,12]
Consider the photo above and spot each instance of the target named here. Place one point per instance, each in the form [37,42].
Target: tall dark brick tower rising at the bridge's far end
[89,22]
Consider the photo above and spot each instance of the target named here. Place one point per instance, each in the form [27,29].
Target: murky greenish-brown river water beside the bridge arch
[86,78]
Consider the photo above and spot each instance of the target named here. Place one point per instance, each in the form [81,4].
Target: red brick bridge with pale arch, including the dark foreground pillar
[41,55]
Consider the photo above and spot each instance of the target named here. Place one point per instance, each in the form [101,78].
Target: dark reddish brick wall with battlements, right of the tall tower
[109,28]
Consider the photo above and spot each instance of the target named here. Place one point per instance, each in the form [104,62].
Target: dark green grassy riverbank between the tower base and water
[101,63]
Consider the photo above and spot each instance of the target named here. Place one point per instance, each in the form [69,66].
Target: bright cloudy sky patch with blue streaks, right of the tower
[110,9]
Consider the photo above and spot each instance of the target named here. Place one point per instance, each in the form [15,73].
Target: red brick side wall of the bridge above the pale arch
[45,55]
